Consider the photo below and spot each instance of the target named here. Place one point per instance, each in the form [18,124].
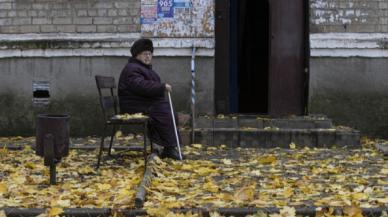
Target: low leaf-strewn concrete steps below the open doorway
[263,132]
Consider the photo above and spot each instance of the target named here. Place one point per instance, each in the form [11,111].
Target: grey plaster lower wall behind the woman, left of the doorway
[73,89]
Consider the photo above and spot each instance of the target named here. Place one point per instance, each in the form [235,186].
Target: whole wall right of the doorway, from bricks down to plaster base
[349,61]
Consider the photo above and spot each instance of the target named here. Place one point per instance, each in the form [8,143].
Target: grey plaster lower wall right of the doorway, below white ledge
[352,91]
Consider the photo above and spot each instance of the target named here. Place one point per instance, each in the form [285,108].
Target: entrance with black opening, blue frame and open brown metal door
[261,57]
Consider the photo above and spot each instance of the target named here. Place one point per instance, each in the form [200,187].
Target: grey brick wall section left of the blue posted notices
[69,16]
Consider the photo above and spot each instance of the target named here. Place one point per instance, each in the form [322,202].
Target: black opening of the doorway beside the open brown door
[249,56]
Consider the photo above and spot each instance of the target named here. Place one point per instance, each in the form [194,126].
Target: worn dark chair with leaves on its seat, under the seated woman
[109,106]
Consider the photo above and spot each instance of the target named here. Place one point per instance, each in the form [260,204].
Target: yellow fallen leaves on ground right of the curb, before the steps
[270,178]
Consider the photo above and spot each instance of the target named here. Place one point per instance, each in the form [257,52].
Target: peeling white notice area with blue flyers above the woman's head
[177,18]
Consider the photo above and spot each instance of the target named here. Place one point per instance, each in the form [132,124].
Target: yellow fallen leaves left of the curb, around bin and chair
[24,181]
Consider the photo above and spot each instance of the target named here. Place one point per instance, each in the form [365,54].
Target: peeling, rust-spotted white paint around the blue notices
[196,21]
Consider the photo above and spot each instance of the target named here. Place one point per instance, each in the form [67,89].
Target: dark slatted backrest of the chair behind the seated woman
[108,102]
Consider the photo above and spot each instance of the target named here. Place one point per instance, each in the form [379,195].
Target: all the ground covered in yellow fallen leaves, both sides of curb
[210,177]
